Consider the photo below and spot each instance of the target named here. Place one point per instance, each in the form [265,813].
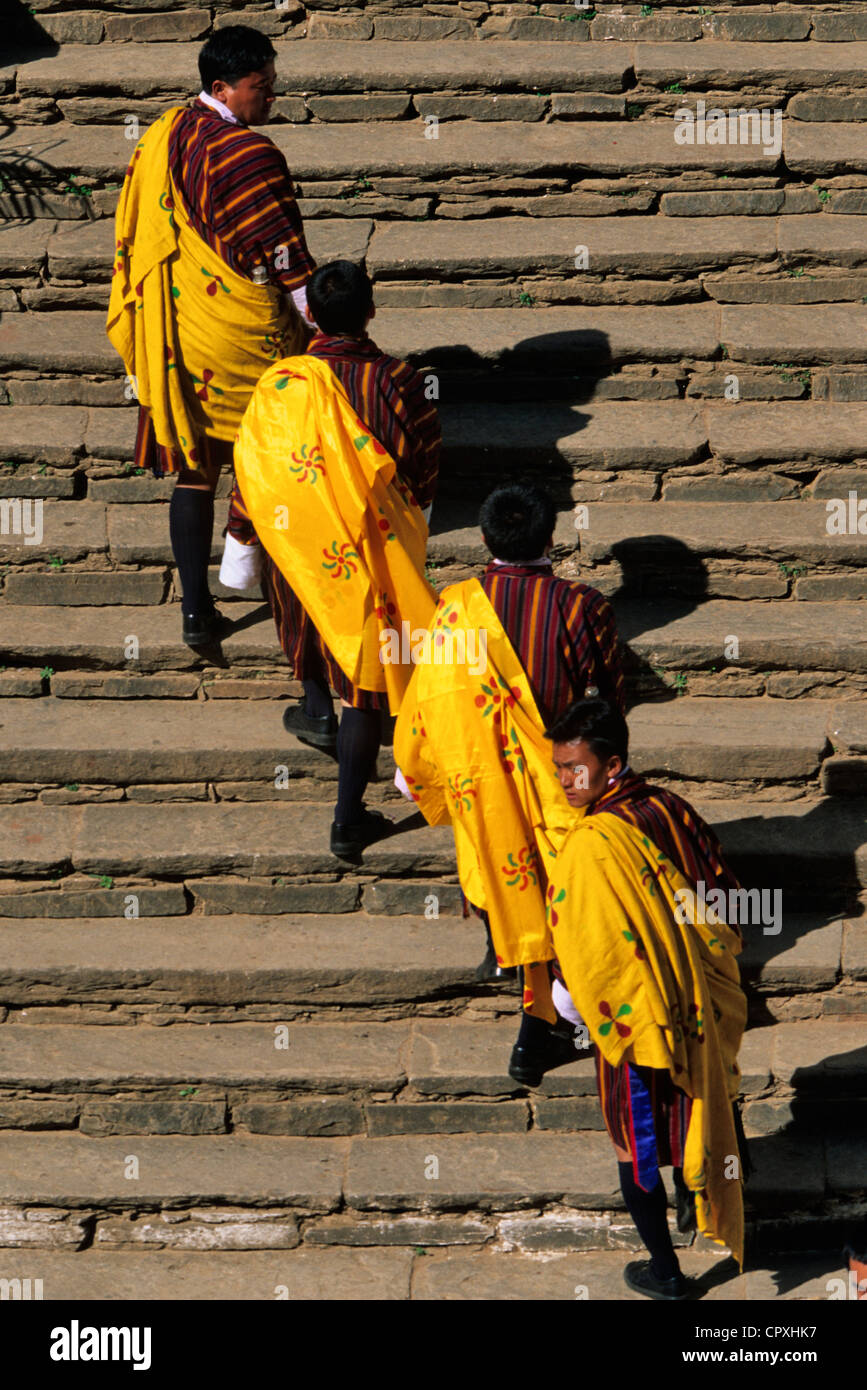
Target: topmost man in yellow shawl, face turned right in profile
[208,288]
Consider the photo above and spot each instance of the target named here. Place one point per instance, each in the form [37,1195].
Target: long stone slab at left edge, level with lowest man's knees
[176,1171]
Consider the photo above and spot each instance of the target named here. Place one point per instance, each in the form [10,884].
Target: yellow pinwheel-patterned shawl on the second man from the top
[338,522]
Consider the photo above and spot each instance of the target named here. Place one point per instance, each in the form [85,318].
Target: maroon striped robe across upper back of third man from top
[563,635]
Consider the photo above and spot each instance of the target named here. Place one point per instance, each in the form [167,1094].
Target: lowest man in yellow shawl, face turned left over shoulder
[643,911]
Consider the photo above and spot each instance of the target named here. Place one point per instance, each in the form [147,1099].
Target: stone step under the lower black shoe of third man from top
[327,1079]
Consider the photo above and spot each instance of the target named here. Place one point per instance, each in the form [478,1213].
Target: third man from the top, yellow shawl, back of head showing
[506,655]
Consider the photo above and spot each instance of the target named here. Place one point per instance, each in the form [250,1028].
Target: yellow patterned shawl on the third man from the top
[472,746]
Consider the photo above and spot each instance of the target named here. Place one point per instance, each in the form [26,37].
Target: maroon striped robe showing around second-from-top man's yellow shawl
[388,395]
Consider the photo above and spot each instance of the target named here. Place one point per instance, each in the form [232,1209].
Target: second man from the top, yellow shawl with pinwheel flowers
[337,459]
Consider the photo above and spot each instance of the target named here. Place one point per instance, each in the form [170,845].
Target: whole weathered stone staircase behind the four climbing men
[229,1064]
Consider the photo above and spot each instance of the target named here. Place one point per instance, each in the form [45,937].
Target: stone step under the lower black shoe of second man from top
[816,849]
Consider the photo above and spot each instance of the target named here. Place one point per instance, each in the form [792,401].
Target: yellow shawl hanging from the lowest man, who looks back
[657,981]
